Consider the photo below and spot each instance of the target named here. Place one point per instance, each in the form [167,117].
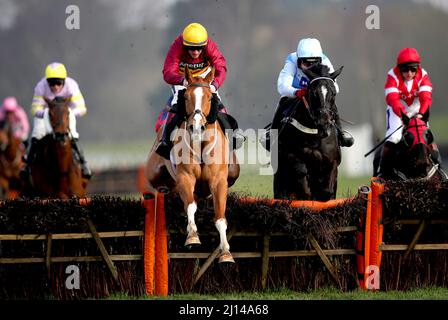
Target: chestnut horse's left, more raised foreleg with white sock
[185,188]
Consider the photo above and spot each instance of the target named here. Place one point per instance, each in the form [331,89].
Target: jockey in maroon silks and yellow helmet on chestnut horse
[193,48]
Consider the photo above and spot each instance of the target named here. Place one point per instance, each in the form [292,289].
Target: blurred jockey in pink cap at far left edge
[21,126]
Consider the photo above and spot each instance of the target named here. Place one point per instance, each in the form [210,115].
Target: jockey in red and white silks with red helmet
[408,90]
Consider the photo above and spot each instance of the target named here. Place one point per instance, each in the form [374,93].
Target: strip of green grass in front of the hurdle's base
[431,293]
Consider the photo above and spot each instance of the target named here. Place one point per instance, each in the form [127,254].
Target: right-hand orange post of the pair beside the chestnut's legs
[161,248]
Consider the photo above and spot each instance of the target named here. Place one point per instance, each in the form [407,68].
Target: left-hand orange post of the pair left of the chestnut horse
[149,242]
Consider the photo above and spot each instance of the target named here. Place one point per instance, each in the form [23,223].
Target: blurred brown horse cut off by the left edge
[11,153]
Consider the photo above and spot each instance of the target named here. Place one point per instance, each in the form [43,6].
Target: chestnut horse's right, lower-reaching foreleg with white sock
[219,192]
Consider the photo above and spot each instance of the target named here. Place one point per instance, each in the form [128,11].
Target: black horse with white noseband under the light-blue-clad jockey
[308,149]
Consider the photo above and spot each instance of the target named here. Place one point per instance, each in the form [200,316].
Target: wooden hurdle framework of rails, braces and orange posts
[155,255]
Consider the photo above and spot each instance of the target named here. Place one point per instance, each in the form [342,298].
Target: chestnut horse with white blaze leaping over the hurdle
[201,155]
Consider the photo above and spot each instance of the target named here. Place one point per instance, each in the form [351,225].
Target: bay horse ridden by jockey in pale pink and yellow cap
[55,172]
